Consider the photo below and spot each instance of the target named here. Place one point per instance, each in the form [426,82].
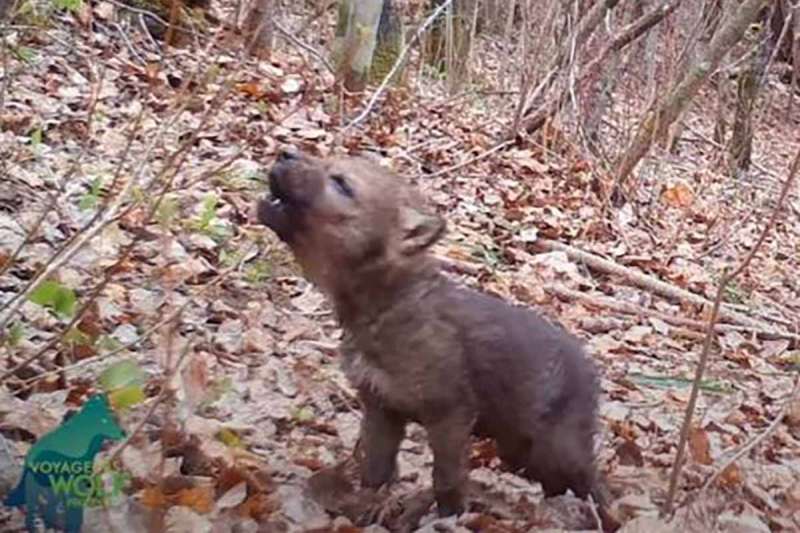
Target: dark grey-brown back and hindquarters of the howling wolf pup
[536,390]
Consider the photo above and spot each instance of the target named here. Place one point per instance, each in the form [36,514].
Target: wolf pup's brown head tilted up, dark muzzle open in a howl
[345,216]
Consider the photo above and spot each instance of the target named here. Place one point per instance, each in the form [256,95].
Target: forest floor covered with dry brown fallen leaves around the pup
[261,404]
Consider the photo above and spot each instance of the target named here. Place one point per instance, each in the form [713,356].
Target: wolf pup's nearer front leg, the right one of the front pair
[449,440]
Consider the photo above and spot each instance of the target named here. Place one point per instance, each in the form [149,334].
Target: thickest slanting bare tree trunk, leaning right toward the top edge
[656,122]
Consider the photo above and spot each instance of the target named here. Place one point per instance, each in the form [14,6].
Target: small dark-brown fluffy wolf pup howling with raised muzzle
[419,347]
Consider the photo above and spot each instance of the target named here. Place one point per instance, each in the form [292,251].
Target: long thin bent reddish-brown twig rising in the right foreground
[701,365]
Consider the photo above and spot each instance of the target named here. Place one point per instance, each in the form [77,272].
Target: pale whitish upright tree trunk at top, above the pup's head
[355,39]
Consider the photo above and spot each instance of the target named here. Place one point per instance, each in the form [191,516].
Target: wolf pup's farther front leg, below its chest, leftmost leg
[381,433]
